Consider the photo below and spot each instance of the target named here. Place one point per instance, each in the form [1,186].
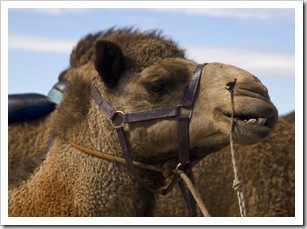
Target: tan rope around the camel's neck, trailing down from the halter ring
[140,165]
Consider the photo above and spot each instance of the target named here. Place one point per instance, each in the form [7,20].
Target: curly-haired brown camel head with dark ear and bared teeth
[135,72]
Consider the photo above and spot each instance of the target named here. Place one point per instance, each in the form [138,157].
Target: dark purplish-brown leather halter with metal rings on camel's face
[184,113]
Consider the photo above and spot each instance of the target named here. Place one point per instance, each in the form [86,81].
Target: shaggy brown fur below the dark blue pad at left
[27,146]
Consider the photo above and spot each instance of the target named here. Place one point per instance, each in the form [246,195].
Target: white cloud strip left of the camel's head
[40,44]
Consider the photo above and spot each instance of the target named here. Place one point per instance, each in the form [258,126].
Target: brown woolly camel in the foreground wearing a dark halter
[135,72]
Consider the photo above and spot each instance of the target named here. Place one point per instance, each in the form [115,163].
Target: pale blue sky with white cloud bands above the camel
[260,40]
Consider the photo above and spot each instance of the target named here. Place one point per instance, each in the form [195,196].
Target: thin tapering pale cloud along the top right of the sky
[240,14]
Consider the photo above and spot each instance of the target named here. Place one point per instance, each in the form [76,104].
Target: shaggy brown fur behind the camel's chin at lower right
[267,173]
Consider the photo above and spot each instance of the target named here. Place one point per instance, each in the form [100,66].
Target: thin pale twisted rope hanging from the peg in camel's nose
[237,184]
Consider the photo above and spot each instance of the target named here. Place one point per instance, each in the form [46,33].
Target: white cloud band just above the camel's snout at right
[259,62]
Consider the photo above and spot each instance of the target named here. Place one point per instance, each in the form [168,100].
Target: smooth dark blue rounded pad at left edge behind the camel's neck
[29,106]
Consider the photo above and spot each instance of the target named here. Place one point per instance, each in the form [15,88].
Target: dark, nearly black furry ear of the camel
[109,62]
